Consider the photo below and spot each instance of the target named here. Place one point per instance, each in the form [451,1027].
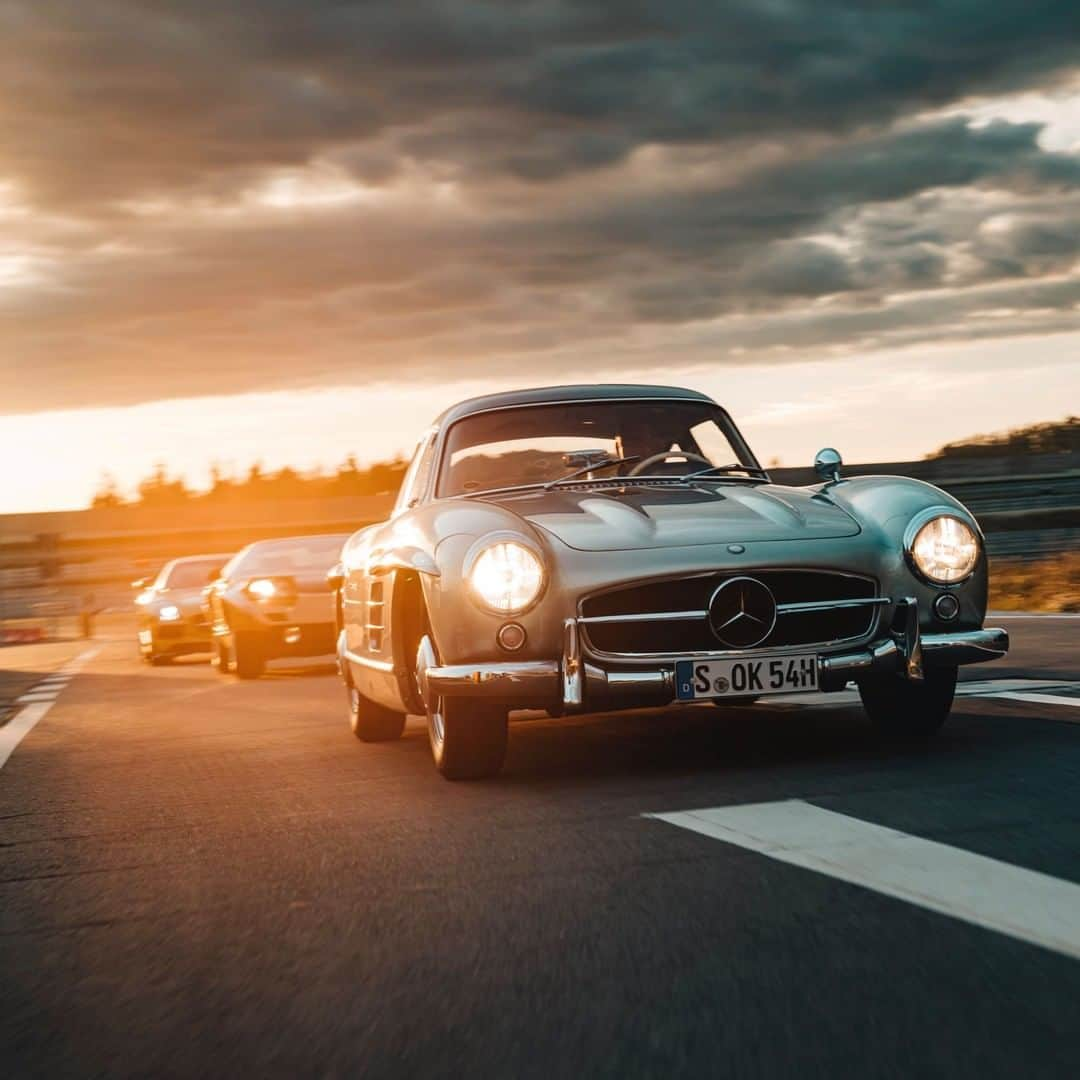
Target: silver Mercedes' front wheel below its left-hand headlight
[468,738]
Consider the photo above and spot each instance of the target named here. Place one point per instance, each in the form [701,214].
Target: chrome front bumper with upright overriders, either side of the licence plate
[575,683]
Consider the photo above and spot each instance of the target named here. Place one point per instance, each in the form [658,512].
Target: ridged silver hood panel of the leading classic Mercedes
[614,519]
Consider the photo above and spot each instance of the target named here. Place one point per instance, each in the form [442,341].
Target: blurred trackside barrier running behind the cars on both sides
[88,560]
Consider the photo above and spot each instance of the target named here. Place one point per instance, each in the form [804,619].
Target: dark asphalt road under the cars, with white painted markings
[206,877]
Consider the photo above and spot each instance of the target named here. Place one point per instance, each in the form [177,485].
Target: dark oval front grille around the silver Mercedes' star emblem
[668,617]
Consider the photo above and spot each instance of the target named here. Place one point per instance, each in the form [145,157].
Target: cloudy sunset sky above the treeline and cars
[282,232]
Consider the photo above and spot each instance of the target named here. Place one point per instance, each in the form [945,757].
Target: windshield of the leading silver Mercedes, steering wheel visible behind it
[543,443]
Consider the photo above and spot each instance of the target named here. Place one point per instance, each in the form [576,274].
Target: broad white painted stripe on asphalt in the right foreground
[1024,904]
